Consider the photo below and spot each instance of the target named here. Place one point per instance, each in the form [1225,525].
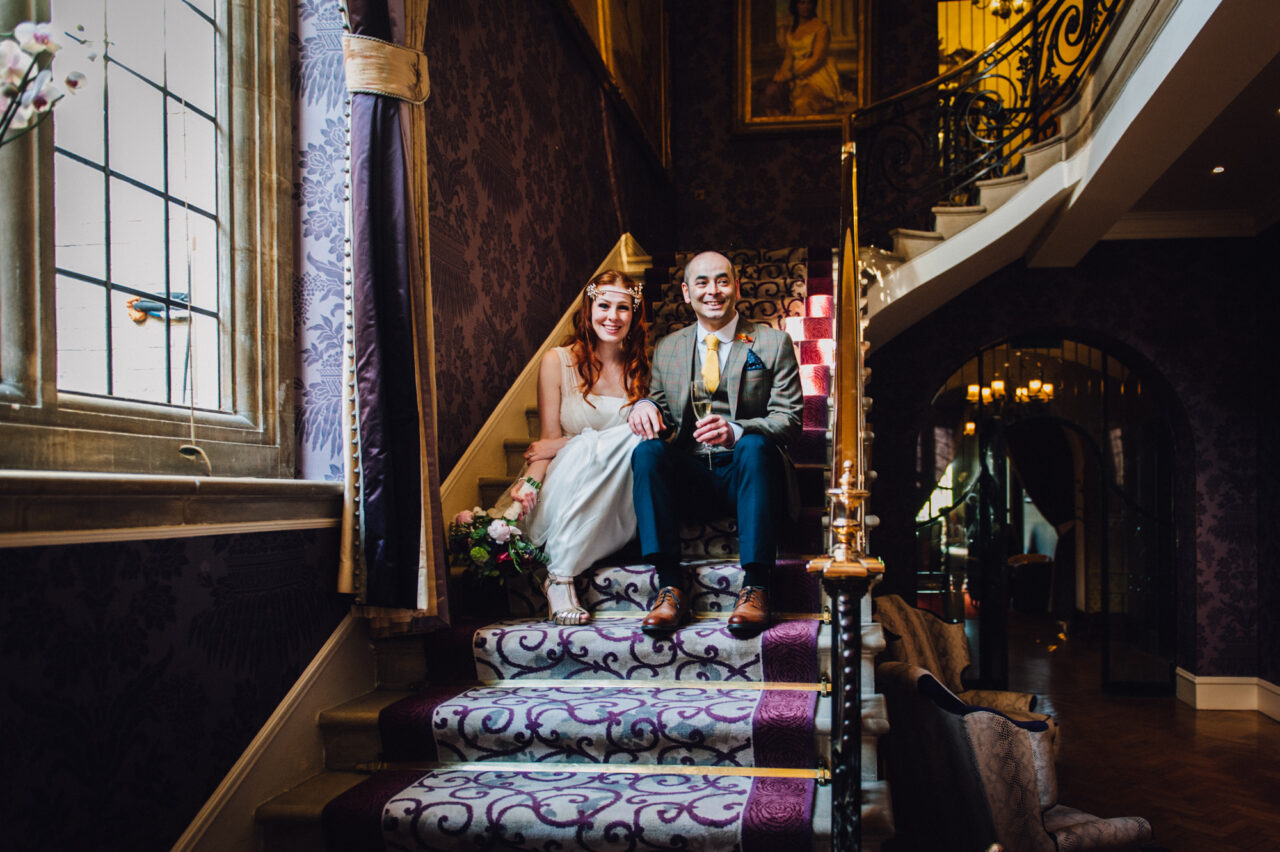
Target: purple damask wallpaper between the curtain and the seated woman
[533,178]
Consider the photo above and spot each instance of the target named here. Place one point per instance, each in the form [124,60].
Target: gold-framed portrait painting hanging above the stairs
[801,63]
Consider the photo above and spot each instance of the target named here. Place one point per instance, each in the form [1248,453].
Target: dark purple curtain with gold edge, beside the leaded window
[401,530]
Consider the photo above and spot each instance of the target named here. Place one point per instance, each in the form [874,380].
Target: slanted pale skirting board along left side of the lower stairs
[289,749]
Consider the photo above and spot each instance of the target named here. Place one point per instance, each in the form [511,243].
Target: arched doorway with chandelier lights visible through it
[1055,497]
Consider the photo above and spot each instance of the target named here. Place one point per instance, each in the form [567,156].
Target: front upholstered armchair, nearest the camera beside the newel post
[964,777]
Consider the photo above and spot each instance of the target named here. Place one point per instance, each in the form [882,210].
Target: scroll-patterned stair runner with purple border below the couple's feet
[719,736]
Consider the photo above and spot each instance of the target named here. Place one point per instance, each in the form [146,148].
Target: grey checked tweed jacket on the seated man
[764,400]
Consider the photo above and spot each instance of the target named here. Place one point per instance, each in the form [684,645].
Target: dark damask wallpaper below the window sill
[136,674]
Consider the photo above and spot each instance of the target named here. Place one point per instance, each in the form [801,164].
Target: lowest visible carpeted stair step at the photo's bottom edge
[579,809]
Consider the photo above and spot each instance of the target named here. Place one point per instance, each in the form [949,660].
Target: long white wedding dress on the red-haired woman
[586,511]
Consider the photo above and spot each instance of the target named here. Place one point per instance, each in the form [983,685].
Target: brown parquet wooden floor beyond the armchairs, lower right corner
[1208,781]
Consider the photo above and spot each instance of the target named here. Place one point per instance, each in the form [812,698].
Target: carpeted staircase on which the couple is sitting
[510,732]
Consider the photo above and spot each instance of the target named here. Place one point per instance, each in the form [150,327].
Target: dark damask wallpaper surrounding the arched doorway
[1192,312]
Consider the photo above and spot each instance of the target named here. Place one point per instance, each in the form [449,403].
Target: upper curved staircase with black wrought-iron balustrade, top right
[976,180]
